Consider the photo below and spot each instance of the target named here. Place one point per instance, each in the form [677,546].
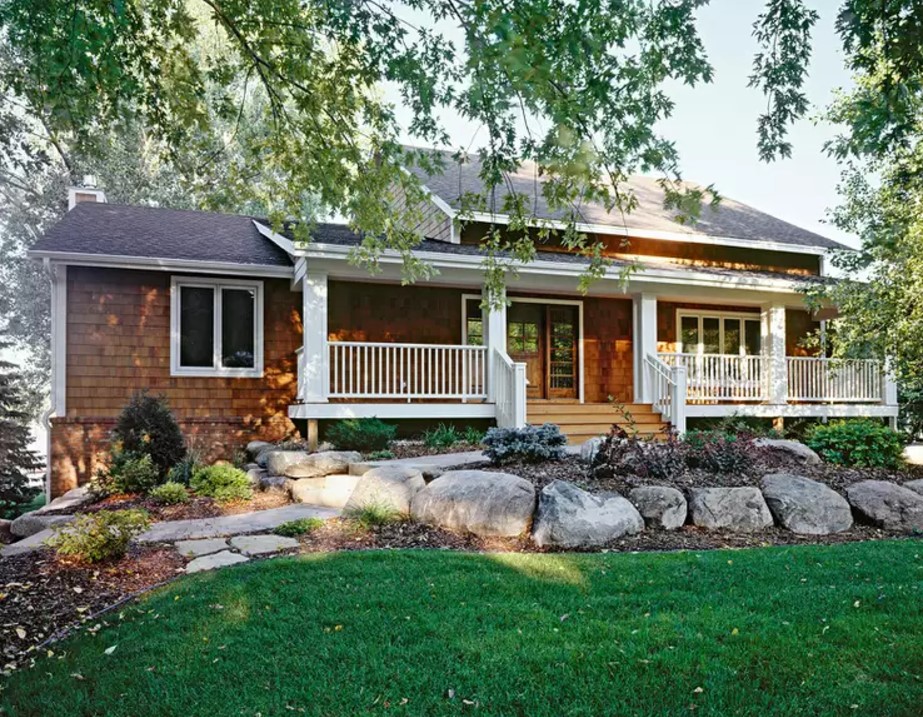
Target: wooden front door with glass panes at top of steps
[544,337]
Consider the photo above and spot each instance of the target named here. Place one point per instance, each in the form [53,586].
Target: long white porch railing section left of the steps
[361,369]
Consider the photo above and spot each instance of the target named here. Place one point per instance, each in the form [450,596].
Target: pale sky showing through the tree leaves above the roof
[714,126]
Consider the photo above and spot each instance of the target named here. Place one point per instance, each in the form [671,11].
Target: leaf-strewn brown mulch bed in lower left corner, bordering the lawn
[41,595]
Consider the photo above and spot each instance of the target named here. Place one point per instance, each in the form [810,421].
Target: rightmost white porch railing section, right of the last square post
[812,378]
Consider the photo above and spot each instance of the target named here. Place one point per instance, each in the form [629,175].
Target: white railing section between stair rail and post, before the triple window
[723,377]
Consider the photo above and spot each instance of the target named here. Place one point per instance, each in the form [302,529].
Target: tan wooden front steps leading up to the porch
[580,421]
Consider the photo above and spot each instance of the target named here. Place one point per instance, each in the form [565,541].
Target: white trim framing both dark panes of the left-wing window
[177,282]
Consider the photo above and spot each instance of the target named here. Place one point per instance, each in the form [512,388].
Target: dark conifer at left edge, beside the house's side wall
[17,460]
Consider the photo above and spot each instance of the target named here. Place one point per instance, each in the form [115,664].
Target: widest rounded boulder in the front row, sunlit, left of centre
[479,502]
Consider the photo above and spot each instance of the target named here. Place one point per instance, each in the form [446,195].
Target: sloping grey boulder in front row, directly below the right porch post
[805,506]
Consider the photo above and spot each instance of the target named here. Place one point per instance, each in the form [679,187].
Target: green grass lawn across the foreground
[777,631]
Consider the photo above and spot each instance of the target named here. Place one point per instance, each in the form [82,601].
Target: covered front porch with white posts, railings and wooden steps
[660,357]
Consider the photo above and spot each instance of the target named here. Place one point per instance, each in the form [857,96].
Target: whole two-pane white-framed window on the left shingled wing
[216,327]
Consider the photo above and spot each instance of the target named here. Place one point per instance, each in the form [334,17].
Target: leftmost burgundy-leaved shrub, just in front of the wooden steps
[621,454]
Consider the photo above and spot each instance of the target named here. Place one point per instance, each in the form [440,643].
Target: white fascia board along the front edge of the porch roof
[651,275]
